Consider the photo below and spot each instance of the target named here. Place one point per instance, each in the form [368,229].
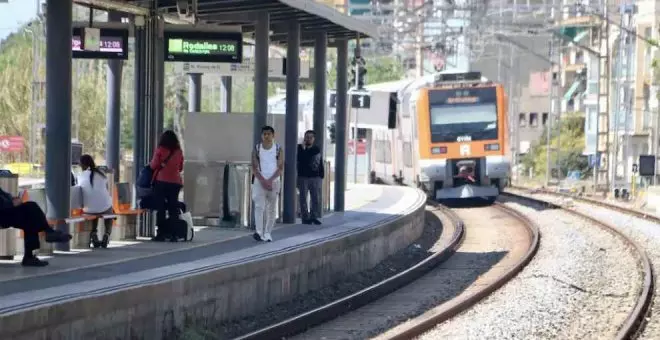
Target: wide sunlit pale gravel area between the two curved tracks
[581,284]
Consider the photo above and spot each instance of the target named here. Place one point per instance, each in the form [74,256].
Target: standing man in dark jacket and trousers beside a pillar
[310,179]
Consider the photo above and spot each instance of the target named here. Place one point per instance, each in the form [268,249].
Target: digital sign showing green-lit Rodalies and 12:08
[212,47]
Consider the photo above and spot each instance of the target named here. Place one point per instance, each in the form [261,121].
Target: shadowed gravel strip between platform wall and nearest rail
[391,266]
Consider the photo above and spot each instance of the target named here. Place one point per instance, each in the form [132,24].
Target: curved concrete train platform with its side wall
[126,290]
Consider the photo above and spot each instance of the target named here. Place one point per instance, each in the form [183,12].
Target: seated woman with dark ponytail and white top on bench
[96,198]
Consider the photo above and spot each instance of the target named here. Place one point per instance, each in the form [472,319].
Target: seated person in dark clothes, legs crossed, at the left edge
[29,218]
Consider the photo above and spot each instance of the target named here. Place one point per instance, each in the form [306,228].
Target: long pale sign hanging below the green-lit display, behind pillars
[276,68]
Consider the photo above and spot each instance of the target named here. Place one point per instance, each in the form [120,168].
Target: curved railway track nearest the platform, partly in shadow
[456,276]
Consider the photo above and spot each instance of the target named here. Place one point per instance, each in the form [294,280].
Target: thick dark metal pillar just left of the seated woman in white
[58,112]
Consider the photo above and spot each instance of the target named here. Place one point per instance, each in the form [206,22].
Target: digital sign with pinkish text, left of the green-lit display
[112,45]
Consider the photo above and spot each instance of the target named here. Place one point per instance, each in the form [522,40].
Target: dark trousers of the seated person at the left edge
[29,218]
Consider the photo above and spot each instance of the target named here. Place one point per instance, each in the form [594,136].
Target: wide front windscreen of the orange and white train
[449,123]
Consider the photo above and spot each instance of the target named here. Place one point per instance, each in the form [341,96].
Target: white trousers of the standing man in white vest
[265,207]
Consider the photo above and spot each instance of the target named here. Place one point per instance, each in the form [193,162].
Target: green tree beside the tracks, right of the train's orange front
[572,145]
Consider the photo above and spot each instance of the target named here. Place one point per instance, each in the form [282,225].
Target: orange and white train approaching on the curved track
[446,134]
